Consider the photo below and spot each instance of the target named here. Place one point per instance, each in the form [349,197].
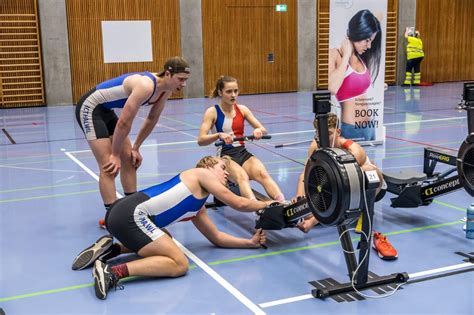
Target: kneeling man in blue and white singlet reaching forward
[137,219]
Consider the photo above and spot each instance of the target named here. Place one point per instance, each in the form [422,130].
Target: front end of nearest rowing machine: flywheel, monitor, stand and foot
[338,192]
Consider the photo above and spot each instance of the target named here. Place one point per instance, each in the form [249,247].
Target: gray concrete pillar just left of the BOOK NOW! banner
[306,45]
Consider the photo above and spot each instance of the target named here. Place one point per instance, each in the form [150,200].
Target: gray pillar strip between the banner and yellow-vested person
[406,17]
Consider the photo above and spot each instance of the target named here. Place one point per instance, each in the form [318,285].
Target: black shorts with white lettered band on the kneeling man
[131,226]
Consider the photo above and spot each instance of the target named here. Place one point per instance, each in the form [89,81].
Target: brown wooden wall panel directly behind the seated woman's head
[241,36]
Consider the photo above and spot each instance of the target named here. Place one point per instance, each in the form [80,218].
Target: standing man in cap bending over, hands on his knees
[107,134]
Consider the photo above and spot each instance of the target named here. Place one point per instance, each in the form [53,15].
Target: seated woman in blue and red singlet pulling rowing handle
[226,121]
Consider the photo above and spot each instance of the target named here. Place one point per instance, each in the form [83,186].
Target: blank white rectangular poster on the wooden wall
[127,41]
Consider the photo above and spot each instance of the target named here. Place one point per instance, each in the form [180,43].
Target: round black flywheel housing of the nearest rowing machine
[333,186]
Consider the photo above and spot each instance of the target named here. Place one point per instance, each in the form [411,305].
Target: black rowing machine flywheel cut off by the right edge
[465,164]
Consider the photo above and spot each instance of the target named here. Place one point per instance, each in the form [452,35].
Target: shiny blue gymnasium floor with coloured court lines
[50,206]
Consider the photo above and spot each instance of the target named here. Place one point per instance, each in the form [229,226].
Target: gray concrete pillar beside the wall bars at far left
[55,52]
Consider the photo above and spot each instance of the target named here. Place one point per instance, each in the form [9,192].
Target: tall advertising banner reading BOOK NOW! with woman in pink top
[357,36]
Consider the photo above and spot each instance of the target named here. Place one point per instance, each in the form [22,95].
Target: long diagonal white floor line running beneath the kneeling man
[232,290]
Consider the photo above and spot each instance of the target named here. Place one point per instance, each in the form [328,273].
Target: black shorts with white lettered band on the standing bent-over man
[96,121]
